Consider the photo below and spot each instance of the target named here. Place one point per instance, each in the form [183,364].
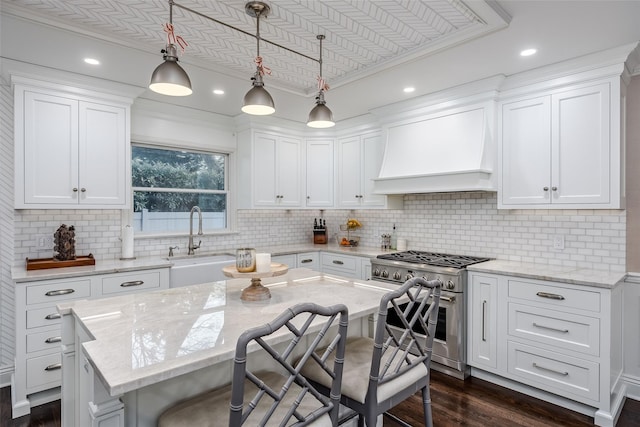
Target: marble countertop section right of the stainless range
[556,273]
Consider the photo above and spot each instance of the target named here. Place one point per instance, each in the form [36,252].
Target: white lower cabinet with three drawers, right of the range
[559,339]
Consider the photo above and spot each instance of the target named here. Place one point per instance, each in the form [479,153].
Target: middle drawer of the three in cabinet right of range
[556,328]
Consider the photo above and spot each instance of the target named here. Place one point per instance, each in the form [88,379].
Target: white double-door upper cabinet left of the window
[70,151]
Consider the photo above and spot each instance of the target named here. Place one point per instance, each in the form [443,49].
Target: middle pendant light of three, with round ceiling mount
[258,101]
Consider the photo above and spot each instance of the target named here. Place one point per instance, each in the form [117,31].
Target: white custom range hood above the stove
[445,147]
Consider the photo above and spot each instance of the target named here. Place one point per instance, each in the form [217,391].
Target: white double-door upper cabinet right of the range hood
[562,149]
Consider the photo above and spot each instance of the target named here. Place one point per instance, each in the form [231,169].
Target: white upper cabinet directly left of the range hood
[359,160]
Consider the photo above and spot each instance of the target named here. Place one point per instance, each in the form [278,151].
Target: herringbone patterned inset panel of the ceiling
[362,37]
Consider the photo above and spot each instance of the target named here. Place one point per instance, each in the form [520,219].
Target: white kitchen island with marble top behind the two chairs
[126,359]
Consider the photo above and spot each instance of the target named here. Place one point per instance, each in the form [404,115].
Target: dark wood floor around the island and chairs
[473,402]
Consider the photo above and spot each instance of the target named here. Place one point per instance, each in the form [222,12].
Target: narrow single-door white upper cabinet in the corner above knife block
[320,158]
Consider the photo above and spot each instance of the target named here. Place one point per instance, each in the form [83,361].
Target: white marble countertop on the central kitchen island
[141,339]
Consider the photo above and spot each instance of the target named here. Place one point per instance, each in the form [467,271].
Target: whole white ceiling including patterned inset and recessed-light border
[372,48]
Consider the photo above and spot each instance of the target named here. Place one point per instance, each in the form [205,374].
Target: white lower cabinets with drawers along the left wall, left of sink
[38,364]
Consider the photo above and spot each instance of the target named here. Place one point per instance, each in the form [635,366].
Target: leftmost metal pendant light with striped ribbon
[169,78]
